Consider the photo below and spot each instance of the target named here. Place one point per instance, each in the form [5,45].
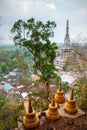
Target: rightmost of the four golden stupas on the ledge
[70,105]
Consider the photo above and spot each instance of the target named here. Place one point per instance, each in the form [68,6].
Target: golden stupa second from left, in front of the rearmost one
[52,113]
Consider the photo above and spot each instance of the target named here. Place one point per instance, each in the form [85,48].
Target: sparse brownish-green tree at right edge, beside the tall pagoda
[78,61]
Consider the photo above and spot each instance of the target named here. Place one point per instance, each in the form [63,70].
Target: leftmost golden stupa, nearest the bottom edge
[30,120]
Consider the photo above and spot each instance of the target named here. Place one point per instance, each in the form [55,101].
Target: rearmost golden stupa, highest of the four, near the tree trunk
[59,96]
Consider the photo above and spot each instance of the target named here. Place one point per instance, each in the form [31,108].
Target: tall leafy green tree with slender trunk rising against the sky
[35,36]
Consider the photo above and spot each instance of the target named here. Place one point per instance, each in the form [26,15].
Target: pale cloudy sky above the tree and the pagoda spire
[53,10]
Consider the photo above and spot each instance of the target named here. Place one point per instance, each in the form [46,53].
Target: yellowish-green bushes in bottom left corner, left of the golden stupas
[10,109]
